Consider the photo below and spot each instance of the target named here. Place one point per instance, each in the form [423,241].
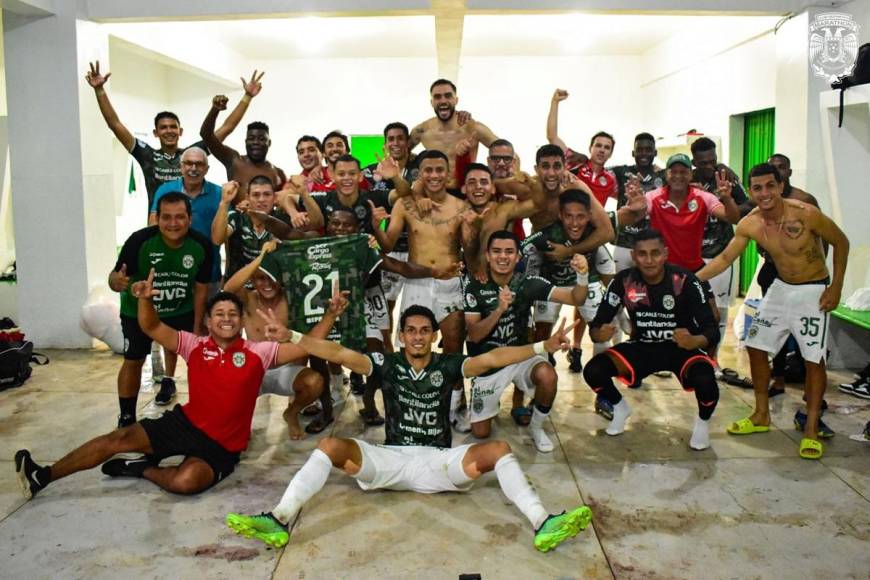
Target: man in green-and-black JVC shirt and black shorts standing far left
[181,258]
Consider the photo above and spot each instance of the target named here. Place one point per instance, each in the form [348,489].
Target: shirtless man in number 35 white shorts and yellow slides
[791,232]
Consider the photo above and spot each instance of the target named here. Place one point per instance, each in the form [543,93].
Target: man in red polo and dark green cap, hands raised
[680,211]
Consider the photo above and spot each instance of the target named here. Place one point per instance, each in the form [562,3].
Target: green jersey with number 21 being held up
[307,269]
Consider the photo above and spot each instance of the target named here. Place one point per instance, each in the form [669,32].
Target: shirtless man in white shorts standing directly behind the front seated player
[434,240]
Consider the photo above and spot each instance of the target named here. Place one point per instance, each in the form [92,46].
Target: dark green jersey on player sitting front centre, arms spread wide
[417,405]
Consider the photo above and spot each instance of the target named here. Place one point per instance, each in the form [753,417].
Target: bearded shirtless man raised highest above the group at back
[454,134]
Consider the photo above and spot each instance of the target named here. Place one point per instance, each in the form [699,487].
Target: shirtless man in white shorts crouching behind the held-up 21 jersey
[303,385]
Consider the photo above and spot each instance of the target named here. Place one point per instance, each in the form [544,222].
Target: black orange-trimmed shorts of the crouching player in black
[646,358]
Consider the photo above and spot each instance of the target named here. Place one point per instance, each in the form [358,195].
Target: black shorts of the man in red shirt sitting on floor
[173,434]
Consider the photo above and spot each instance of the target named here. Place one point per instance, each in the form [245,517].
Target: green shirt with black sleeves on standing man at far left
[176,270]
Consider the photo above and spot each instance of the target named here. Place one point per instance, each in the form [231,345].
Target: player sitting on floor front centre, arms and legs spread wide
[417,386]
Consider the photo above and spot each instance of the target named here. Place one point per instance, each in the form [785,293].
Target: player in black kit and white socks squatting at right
[673,327]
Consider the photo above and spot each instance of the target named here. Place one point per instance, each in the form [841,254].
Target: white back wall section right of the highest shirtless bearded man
[512,96]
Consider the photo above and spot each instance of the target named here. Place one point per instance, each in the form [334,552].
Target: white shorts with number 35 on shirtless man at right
[791,309]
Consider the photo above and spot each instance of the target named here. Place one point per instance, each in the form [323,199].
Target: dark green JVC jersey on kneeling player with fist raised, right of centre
[512,327]
